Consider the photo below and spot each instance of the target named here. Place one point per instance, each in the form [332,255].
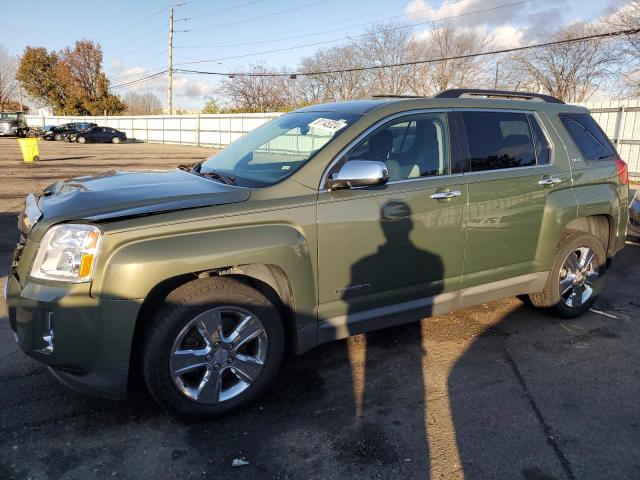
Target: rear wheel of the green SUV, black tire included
[579,245]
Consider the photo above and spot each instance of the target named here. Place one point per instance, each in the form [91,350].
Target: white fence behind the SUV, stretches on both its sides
[619,119]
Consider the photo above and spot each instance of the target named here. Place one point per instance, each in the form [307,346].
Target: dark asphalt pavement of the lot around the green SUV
[498,391]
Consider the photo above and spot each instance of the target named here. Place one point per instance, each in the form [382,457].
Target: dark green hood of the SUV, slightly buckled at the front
[113,194]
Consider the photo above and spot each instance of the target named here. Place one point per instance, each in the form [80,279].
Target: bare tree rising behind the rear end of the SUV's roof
[573,72]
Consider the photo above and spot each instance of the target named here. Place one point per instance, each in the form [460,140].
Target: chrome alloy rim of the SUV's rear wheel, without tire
[578,276]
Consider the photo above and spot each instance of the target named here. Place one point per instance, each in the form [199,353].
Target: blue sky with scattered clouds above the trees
[225,35]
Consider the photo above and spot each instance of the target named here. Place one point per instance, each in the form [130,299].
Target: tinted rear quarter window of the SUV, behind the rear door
[588,136]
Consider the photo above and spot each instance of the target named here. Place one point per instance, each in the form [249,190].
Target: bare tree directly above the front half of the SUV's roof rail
[447,42]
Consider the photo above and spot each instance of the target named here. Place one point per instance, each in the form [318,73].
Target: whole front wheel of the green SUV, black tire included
[173,330]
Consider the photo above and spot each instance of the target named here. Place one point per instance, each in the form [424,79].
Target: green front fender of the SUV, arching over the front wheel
[132,267]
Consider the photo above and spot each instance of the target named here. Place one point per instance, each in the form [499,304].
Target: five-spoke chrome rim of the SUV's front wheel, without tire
[218,354]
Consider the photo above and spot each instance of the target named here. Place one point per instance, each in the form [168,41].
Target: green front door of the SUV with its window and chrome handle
[399,245]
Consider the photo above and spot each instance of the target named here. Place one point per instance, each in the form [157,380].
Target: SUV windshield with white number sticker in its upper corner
[274,151]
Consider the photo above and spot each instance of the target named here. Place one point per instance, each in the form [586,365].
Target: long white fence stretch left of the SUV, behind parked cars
[206,130]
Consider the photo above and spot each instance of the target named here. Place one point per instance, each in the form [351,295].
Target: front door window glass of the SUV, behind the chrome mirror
[411,147]
